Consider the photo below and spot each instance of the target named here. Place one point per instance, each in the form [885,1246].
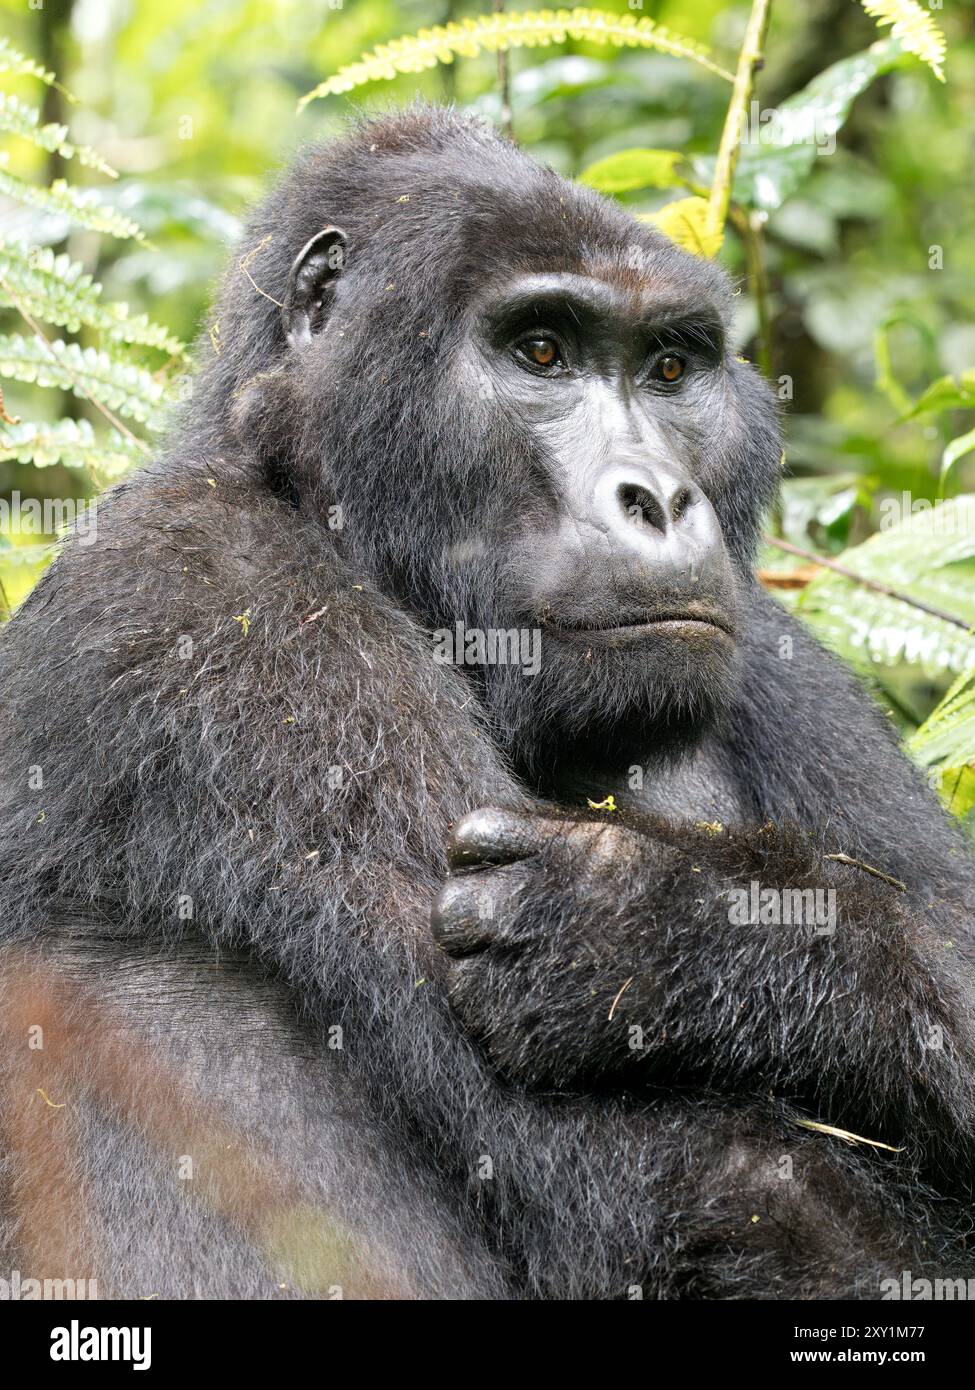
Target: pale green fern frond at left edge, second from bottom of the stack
[88,373]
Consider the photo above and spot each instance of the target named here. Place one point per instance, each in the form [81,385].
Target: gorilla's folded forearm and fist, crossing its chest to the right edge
[595,951]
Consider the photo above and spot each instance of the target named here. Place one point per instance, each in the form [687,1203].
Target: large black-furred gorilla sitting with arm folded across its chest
[335,967]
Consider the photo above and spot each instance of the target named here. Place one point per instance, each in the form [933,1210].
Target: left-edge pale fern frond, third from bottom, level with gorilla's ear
[58,291]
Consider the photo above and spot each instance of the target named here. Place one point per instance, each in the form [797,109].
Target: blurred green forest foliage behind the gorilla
[870,263]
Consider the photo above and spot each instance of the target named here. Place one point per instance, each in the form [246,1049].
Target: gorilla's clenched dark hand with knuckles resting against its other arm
[522,921]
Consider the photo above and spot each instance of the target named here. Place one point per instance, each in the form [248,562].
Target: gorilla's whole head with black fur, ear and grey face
[525,414]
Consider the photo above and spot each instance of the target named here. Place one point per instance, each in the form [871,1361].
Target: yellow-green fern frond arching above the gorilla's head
[499,33]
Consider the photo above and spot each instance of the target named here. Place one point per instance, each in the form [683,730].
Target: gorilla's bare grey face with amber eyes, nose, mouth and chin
[618,559]
